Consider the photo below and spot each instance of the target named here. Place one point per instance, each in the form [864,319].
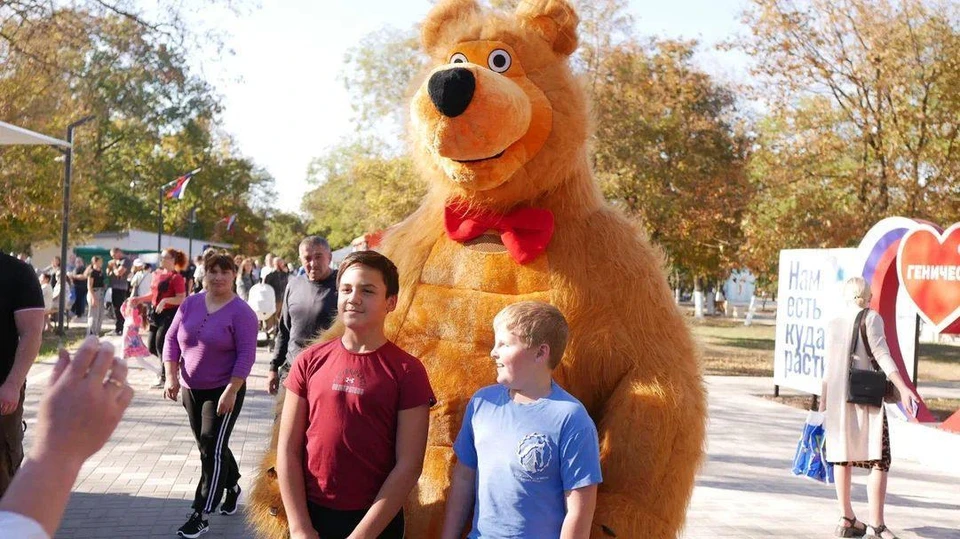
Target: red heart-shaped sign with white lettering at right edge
[928,265]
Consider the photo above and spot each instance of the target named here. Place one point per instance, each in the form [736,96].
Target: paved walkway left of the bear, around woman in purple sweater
[141,484]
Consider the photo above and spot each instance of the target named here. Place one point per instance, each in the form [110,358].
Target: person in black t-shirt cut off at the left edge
[21,328]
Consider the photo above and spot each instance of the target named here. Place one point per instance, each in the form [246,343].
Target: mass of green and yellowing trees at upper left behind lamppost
[154,121]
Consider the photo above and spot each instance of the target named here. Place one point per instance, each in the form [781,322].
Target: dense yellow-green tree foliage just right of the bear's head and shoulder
[670,153]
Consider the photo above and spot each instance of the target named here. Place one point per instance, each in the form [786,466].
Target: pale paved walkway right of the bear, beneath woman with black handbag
[746,490]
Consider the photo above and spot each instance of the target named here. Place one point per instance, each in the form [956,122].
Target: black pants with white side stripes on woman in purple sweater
[218,468]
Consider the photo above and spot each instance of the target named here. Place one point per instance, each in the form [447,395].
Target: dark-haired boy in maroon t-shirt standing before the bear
[353,429]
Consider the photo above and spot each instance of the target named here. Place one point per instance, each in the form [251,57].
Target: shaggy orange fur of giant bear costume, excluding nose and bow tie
[630,358]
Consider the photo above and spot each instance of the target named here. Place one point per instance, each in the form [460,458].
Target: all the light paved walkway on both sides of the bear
[141,483]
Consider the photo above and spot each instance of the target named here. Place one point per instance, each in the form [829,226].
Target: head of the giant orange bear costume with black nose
[486,111]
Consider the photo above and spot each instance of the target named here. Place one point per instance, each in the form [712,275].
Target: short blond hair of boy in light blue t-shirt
[536,323]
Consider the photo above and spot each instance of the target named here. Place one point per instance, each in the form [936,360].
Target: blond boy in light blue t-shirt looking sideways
[528,455]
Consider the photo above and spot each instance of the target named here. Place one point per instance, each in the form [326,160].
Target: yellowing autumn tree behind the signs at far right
[863,120]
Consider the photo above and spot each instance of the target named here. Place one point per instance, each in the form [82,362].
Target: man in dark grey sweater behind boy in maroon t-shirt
[309,306]
